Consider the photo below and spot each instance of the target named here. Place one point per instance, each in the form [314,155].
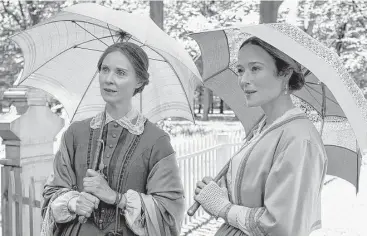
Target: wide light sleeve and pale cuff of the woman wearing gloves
[292,194]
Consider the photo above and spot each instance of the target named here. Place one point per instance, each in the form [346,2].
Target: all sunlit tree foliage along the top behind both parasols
[338,24]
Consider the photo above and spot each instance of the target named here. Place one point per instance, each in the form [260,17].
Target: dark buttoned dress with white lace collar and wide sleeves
[139,161]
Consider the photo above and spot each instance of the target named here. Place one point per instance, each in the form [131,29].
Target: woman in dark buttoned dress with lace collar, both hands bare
[137,189]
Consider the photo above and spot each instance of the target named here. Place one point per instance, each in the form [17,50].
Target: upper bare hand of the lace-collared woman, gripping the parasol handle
[94,183]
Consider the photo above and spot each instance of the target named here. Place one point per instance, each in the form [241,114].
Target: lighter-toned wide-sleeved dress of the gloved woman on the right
[275,180]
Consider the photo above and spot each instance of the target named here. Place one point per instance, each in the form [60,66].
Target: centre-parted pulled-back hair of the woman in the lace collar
[137,57]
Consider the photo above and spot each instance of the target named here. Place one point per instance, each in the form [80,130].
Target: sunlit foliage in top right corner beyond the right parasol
[340,25]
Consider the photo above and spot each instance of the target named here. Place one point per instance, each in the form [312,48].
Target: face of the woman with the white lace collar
[117,78]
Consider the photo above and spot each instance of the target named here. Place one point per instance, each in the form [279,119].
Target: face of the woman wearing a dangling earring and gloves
[257,76]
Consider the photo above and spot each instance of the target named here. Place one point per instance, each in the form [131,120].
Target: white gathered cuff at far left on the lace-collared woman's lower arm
[60,209]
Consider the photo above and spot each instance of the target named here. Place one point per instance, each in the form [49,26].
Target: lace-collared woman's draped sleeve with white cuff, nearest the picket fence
[160,211]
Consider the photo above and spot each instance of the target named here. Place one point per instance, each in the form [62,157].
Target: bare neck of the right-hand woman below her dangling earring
[276,108]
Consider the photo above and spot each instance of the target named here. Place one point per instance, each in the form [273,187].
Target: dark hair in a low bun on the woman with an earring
[283,63]
